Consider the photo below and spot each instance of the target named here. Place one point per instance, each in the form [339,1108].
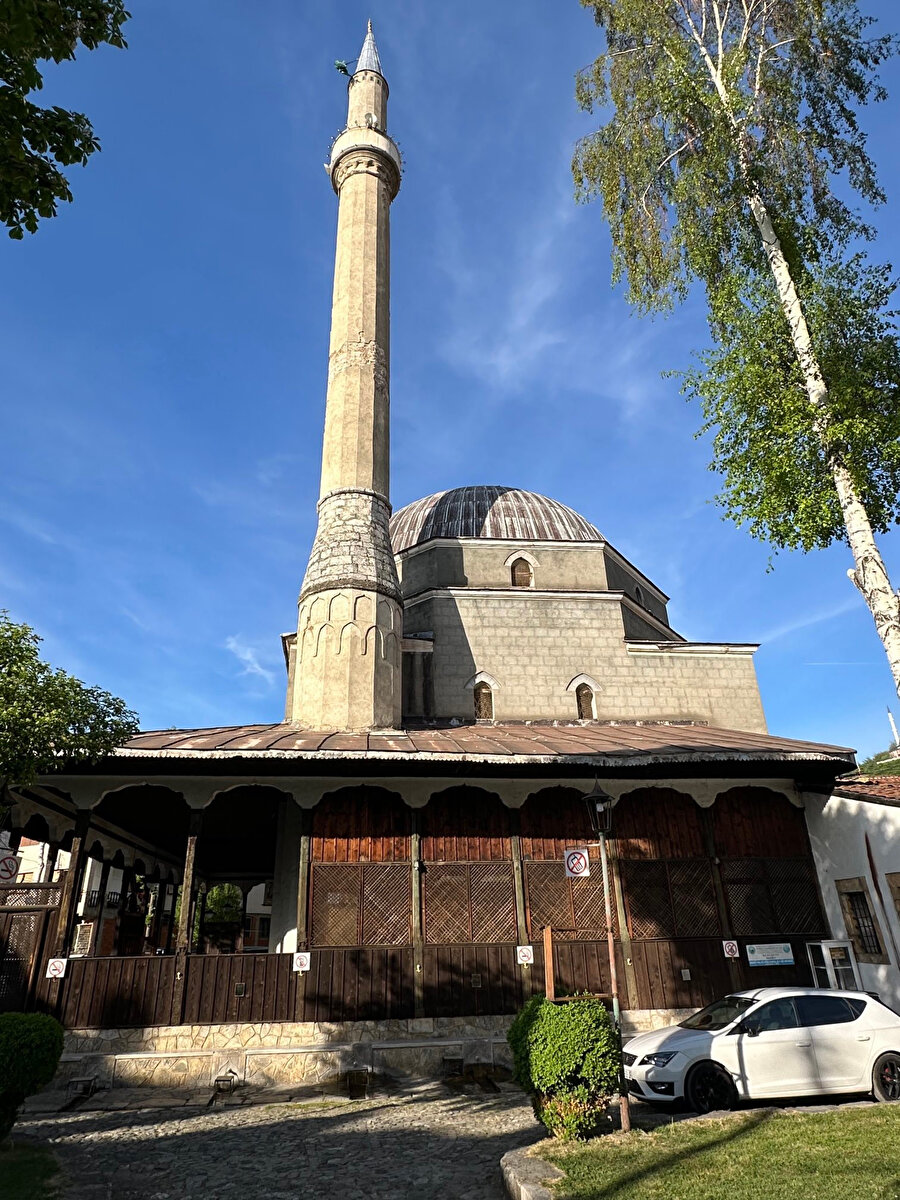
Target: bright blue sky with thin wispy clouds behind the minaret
[165,349]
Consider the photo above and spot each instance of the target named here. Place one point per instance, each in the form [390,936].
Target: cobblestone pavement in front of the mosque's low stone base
[435,1143]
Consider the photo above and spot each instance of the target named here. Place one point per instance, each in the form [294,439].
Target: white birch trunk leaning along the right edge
[869,573]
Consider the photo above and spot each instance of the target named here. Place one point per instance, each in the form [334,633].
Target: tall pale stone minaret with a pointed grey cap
[346,674]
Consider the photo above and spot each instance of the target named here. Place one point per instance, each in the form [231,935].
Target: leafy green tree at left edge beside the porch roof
[49,719]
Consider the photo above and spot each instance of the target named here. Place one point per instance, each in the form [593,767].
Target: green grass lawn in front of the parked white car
[757,1156]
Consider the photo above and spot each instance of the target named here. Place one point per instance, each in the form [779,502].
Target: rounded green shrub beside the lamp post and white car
[567,1058]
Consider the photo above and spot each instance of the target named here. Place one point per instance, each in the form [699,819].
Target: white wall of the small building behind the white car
[838,827]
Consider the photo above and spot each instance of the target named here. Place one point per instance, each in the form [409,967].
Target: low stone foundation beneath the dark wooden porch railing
[290,1053]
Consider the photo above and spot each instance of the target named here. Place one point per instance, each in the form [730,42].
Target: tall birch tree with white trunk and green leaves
[734,157]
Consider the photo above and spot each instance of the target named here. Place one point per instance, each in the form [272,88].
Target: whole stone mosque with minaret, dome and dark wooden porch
[463,674]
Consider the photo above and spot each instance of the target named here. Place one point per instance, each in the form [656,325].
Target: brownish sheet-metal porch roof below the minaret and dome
[598,745]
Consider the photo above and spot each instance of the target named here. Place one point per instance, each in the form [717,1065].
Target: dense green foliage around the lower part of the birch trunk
[772,448]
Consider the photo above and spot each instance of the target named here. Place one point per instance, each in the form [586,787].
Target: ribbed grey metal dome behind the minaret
[488,512]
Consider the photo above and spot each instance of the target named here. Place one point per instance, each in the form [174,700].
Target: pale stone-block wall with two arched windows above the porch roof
[535,645]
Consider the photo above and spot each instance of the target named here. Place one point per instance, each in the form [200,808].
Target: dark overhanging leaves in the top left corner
[37,142]
